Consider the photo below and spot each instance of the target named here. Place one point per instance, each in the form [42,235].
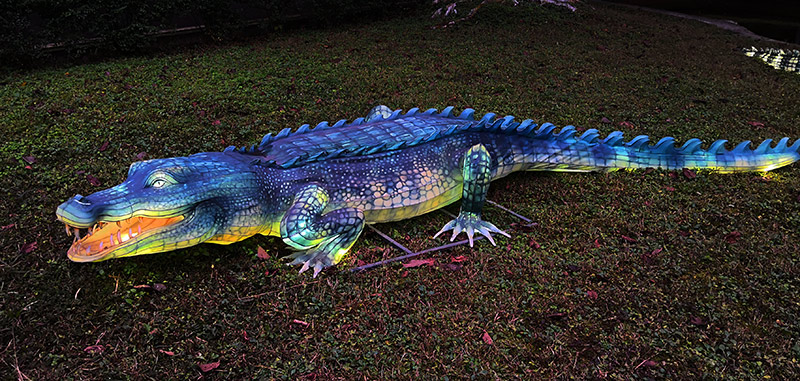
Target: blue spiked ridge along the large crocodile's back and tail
[465,122]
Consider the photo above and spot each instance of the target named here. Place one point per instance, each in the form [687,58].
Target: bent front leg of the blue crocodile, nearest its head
[322,239]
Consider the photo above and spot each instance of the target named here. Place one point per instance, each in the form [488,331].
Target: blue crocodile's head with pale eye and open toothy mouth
[163,205]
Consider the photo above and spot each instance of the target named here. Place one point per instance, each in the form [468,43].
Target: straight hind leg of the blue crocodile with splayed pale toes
[477,173]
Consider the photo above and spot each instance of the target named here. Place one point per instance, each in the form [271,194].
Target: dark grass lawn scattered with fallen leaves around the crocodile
[626,275]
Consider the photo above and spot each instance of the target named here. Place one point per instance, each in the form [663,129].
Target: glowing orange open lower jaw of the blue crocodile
[106,240]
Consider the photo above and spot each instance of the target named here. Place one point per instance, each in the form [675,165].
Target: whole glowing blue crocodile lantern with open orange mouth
[317,187]
